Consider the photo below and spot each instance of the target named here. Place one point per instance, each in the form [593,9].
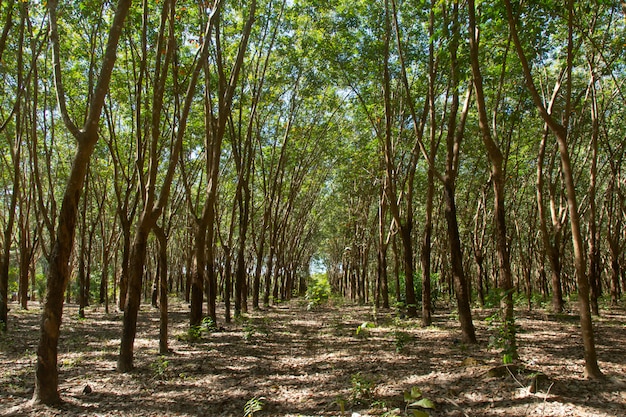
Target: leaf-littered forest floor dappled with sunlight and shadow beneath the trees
[323,362]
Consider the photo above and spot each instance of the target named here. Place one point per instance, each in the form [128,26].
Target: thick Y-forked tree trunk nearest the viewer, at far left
[46,372]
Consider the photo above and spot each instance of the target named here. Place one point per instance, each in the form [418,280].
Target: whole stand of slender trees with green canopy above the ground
[214,150]
